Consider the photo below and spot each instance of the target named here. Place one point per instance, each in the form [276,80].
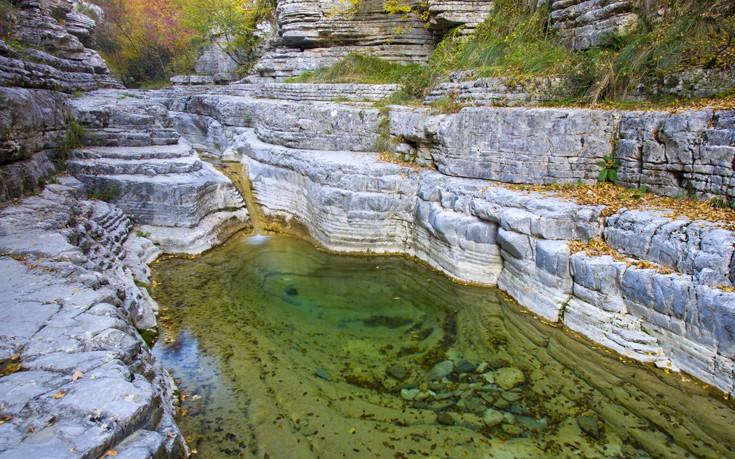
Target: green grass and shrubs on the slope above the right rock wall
[516,41]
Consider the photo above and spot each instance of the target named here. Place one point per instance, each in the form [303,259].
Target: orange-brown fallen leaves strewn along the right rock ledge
[615,197]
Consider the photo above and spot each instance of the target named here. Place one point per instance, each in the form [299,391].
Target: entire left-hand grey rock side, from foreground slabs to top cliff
[77,379]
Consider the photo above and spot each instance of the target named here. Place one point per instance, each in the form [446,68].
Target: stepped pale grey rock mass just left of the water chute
[135,159]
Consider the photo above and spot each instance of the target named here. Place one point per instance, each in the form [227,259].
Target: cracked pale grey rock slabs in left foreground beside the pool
[78,379]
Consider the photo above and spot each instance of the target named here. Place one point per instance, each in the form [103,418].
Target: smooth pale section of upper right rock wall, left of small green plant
[511,145]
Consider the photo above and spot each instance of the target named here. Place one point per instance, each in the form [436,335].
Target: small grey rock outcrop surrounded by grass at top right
[583,23]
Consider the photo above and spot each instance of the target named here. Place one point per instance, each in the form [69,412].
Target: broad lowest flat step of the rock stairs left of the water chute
[150,167]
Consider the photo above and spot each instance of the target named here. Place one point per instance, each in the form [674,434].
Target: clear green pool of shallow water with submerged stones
[283,351]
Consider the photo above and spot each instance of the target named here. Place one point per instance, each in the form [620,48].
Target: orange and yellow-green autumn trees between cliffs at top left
[148,40]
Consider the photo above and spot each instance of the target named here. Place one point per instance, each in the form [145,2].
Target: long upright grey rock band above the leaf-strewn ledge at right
[673,154]
